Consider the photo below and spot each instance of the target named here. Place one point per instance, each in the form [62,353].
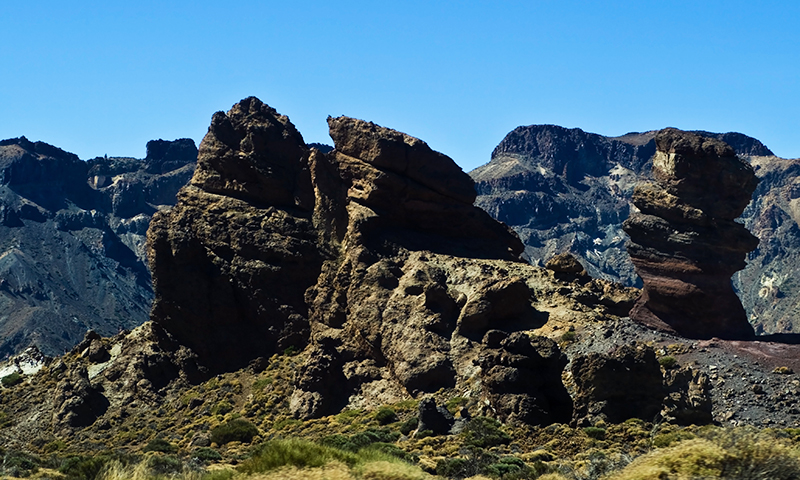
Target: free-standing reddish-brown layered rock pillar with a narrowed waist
[685,244]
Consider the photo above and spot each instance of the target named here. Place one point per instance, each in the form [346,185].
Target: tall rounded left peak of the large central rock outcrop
[232,260]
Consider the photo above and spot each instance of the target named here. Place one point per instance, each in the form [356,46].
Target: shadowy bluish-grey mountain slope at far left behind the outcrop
[72,237]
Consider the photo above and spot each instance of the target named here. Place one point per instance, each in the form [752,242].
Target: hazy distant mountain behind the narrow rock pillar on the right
[568,190]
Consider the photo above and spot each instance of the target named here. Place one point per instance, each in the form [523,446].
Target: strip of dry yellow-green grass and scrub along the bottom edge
[686,453]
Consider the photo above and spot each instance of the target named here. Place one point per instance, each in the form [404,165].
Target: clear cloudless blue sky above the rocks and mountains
[105,77]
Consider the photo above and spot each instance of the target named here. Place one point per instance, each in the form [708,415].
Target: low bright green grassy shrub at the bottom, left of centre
[293,452]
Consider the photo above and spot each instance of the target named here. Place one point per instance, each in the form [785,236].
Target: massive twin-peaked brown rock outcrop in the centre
[371,257]
